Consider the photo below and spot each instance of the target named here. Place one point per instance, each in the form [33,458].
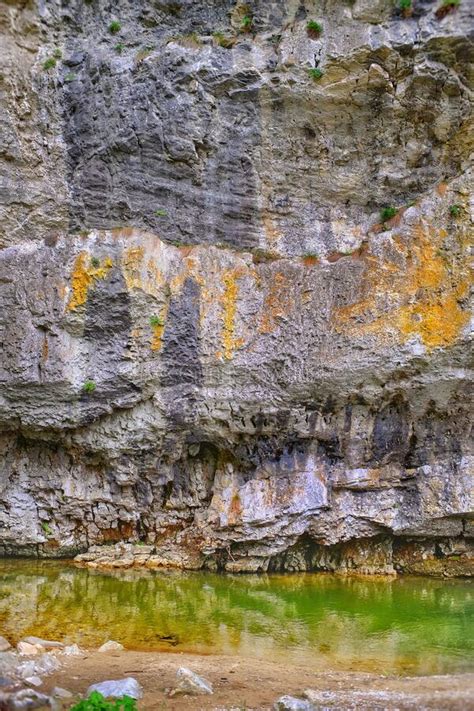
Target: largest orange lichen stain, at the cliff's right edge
[420,297]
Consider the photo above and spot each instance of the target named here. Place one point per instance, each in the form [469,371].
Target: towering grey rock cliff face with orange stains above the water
[210,343]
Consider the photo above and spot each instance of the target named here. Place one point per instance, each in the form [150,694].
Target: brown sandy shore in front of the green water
[255,684]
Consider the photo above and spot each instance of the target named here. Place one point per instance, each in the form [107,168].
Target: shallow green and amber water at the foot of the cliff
[404,625]
